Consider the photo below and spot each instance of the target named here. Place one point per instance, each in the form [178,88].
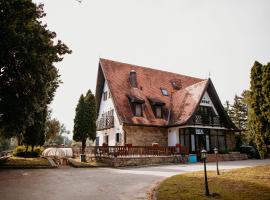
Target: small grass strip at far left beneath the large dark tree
[25,162]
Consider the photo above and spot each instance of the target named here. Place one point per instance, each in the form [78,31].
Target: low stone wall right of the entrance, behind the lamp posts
[227,157]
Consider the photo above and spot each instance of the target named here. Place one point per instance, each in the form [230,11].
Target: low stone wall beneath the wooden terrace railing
[139,161]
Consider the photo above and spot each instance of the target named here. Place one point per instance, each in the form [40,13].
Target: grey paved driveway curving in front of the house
[94,184]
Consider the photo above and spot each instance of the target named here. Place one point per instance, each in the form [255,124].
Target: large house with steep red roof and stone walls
[141,106]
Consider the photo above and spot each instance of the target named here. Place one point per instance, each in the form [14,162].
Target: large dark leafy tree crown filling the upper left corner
[28,77]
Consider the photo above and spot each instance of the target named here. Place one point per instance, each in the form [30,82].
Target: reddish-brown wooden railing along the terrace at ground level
[127,151]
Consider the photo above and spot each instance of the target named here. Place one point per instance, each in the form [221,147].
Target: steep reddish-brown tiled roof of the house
[179,105]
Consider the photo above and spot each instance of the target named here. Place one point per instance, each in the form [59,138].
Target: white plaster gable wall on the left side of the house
[105,106]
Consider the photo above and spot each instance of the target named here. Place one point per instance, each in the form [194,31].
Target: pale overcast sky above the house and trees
[192,37]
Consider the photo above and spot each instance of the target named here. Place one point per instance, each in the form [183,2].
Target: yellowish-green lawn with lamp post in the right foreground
[248,183]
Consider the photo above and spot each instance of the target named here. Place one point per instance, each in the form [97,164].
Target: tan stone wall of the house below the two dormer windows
[146,136]
